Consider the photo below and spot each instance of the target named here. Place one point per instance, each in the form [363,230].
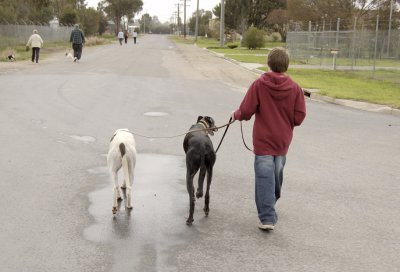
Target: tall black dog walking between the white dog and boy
[200,154]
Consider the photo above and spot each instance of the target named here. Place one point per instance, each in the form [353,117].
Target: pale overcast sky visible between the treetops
[164,9]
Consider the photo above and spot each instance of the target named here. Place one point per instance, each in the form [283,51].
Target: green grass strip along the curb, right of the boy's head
[355,85]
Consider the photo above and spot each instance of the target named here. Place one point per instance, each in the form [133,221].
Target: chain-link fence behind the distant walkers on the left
[12,35]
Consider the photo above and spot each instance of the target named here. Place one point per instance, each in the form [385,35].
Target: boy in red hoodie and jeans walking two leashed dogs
[278,105]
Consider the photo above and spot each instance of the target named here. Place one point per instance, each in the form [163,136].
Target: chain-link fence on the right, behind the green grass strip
[358,47]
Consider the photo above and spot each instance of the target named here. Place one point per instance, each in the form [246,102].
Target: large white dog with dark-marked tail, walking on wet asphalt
[122,153]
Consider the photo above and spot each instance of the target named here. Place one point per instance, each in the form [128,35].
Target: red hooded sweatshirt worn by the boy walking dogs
[278,104]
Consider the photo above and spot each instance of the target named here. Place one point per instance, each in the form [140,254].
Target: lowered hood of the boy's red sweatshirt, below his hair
[278,85]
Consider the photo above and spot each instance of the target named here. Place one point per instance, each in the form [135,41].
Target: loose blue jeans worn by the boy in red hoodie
[269,176]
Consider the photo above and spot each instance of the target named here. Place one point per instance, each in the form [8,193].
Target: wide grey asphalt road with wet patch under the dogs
[339,209]
